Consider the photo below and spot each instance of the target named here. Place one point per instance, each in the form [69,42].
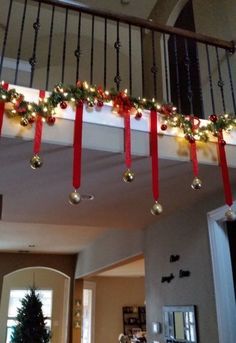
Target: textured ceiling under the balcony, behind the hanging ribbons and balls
[35,202]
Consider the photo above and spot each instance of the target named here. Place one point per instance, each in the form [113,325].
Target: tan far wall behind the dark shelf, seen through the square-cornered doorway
[112,293]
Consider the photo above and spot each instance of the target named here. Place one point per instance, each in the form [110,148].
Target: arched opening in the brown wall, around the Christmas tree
[45,280]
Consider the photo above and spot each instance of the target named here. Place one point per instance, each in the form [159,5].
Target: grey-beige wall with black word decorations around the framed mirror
[186,234]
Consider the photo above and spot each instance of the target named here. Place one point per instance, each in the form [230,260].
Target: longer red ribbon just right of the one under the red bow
[154,154]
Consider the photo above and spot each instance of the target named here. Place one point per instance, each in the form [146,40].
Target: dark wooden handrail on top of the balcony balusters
[198,37]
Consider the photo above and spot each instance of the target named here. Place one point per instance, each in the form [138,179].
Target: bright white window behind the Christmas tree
[15,303]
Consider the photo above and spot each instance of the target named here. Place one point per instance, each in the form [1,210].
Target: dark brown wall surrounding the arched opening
[10,262]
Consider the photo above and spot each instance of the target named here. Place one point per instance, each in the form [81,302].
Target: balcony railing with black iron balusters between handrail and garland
[44,42]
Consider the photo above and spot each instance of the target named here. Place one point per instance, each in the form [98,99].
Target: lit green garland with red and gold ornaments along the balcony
[94,96]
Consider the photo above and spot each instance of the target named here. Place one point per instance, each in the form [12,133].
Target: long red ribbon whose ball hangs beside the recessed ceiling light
[77,145]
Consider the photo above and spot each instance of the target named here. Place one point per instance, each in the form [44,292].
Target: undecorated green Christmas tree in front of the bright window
[31,326]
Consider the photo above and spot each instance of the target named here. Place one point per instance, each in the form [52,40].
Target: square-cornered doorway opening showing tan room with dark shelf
[119,307]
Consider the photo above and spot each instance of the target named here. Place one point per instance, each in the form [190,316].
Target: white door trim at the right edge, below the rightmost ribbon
[222,275]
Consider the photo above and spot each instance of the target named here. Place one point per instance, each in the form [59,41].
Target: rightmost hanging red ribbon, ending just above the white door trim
[224,170]
